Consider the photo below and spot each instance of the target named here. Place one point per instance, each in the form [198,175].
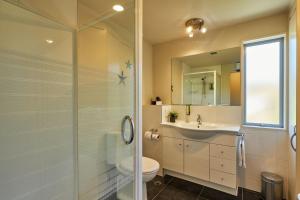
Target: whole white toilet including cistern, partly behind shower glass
[120,156]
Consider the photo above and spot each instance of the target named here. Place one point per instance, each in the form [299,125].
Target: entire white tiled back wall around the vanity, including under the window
[266,149]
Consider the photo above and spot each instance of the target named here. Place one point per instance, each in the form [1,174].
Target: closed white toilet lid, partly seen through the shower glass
[149,165]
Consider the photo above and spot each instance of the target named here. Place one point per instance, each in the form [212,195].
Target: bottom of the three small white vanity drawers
[222,178]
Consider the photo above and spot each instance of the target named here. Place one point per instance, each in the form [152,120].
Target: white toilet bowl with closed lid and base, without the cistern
[150,169]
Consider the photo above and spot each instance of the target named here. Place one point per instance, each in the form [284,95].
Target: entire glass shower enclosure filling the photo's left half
[70,100]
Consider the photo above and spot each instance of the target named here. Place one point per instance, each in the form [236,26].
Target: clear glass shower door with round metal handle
[106,100]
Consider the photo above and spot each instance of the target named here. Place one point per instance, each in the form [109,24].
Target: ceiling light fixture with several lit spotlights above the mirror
[195,25]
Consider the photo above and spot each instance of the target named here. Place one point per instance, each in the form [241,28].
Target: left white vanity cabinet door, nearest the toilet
[173,154]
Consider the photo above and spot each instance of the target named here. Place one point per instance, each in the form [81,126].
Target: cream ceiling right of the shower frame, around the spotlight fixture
[164,19]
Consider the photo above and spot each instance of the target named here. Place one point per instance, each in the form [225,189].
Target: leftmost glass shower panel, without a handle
[36,107]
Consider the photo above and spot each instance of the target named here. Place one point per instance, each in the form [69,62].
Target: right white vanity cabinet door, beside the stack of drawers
[196,159]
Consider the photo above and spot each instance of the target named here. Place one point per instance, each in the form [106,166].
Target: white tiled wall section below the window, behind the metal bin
[266,150]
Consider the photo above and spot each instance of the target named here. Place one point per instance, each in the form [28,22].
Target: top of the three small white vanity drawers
[225,152]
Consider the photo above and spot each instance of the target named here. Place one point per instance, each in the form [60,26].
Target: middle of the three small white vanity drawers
[223,165]
